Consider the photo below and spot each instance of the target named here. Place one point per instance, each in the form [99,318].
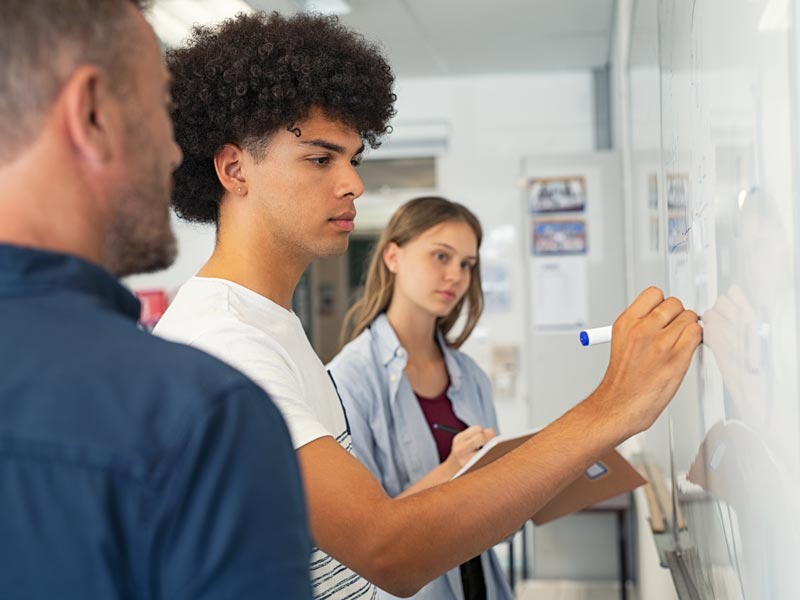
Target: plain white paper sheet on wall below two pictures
[559,292]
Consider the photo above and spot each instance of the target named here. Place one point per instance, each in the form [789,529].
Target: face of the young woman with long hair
[433,271]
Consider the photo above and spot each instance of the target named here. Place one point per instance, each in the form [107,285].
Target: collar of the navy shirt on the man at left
[24,270]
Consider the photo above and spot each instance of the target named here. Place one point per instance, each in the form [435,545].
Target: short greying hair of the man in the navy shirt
[41,43]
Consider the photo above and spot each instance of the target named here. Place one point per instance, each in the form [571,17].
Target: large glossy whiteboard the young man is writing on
[714,168]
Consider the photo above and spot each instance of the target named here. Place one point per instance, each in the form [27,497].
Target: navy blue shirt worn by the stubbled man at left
[133,467]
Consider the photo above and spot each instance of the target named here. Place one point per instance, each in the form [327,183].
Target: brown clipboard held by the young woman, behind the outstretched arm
[609,476]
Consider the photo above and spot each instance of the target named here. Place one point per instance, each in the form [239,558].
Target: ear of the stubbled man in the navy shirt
[92,114]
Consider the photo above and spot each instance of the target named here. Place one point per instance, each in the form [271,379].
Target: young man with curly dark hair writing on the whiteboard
[272,114]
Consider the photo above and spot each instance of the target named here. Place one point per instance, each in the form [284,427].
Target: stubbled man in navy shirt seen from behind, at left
[130,467]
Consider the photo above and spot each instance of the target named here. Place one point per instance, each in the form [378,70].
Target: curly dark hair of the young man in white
[244,79]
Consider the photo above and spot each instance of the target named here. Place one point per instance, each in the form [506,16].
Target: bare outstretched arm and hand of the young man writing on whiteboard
[402,544]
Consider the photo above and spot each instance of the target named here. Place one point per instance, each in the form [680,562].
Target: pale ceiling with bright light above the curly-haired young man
[429,38]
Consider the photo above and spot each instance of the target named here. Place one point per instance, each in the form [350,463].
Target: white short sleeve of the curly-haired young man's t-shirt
[263,360]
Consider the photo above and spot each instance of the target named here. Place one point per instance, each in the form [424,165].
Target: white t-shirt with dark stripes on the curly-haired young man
[267,343]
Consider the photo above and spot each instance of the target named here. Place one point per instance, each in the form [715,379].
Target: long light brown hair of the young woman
[409,221]
